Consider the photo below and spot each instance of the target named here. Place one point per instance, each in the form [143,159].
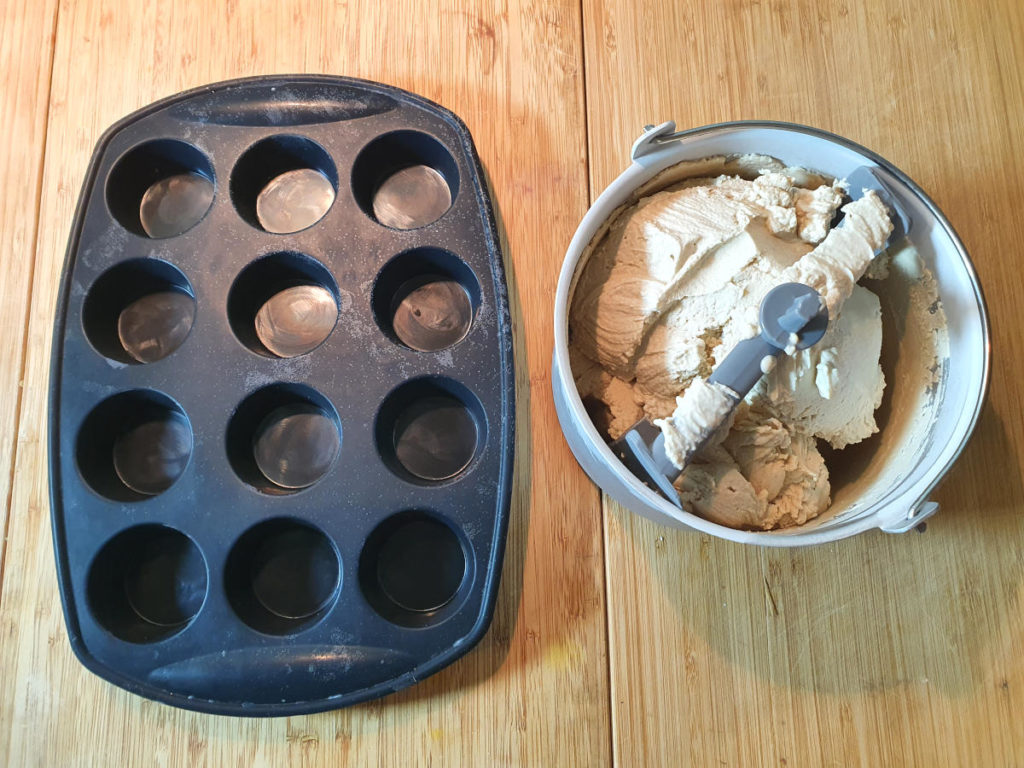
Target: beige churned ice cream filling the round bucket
[676,281]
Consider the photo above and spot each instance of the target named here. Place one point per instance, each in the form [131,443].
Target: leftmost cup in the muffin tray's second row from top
[140,311]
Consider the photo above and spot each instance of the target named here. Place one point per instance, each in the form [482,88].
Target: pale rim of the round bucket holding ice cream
[573,417]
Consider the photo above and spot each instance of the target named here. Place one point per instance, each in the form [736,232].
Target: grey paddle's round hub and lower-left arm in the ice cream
[792,316]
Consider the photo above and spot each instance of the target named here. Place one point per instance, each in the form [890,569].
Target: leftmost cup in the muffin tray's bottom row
[147,584]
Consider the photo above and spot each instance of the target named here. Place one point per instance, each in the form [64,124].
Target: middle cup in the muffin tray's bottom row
[282,577]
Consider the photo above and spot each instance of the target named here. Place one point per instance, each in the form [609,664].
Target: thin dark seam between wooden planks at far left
[23,356]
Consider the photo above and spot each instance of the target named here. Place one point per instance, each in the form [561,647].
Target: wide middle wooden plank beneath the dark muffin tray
[536,690]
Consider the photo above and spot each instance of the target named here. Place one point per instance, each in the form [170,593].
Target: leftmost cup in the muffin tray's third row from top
[135,446]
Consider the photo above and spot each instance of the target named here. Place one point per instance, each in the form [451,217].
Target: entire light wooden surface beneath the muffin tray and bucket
[615,641]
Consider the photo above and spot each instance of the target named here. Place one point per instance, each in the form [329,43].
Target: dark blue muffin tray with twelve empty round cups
[215,588]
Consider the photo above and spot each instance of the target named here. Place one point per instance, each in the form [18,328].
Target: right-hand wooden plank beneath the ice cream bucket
[877,651]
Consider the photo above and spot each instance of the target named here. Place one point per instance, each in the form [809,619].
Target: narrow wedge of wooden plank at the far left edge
[26,57]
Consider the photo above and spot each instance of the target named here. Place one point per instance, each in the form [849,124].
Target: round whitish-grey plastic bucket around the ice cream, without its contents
[894,499]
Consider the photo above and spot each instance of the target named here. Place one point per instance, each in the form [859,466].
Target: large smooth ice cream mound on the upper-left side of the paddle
[698,242]
